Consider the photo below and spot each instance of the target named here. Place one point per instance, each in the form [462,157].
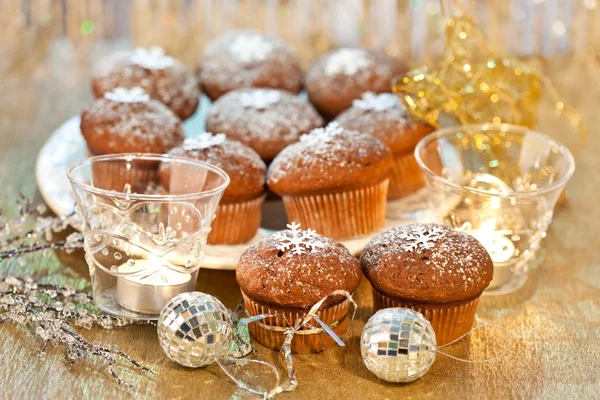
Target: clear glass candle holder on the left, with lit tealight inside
[144,241]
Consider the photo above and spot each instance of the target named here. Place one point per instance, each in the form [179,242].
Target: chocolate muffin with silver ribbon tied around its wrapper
[286,274]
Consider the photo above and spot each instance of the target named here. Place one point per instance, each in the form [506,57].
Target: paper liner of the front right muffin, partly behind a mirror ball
[448,321]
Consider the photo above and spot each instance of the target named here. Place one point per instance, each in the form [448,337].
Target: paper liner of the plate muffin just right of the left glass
[236,223]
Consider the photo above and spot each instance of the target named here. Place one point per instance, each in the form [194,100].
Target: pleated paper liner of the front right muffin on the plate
[341,215]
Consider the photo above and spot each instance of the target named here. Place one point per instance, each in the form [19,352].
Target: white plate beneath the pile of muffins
[66,146]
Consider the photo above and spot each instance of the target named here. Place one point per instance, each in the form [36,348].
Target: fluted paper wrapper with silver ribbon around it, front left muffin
[302,343]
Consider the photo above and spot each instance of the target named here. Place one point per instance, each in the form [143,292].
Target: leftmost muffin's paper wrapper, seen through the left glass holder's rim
[115,175]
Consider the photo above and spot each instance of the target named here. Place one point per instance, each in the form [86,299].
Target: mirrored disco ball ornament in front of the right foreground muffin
[398,345]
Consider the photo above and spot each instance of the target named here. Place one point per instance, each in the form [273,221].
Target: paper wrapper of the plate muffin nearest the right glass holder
[406,177]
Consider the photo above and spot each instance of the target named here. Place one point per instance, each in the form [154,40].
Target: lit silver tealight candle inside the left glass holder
[150,289]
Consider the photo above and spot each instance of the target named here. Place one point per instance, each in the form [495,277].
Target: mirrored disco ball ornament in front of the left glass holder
[194,328]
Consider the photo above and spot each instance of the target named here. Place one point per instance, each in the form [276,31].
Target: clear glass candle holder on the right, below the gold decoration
[499,183]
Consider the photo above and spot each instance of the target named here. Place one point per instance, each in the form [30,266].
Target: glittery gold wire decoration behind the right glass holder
[475,85]
